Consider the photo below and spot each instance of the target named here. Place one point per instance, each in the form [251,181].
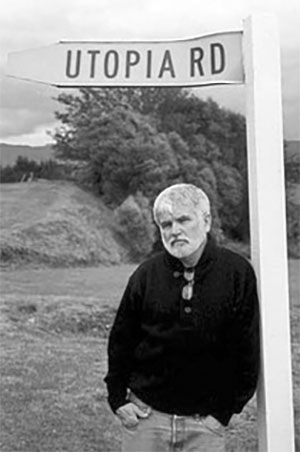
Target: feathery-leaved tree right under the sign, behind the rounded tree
[85,111]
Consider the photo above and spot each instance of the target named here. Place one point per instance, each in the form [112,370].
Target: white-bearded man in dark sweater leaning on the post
[184,347]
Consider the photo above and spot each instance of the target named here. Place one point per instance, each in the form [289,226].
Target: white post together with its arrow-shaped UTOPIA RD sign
[250,57]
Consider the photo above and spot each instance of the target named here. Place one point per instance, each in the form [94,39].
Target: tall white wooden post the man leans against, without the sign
[268,230]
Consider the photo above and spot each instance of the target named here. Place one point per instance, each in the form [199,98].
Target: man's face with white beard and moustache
[183,229]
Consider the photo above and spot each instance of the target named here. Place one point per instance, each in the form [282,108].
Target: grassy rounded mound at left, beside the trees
[55,224]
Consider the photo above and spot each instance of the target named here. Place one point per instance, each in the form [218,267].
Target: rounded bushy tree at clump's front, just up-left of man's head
[129,155]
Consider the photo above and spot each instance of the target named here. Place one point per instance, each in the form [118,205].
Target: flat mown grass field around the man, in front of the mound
[54,327]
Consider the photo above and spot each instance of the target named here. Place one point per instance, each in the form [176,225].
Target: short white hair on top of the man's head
[181,194]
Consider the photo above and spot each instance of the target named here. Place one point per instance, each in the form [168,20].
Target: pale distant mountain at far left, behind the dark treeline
[10,153]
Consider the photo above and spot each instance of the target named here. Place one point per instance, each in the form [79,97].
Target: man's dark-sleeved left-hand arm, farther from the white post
[123,339]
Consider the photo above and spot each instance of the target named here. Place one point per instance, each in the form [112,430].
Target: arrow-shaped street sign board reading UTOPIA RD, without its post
[211,59]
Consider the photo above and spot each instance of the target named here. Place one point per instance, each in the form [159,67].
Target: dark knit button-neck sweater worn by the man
[201,360]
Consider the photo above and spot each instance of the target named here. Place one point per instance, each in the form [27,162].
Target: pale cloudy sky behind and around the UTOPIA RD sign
[27,108]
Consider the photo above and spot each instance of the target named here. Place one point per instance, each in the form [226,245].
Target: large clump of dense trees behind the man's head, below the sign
[144,139]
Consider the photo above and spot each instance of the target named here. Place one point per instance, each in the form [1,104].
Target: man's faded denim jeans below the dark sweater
[165,432]
